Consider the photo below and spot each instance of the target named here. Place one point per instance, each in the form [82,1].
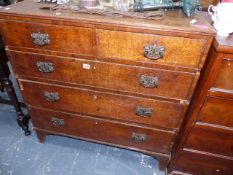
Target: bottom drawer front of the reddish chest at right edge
[199,164]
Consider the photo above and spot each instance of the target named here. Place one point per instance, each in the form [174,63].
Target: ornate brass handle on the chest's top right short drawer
[154,51]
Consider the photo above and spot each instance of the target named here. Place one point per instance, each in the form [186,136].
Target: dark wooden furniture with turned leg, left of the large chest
[6,84]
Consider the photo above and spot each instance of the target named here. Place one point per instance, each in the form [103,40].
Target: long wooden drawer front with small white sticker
[114,76]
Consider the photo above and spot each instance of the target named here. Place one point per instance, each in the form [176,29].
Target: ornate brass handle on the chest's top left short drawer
[40,39]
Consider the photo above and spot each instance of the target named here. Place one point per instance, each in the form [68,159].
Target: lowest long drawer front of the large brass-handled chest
[103,131]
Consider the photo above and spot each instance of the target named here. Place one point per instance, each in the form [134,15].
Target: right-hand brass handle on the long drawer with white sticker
[149,81]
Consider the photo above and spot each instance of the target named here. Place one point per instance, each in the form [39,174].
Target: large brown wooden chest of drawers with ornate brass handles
[118,81]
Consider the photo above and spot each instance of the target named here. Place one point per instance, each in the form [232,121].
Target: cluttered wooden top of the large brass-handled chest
[174,20]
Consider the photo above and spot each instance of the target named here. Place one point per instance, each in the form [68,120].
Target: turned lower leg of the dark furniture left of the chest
[22,120]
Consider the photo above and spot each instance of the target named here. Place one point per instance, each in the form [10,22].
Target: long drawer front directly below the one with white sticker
[127,108]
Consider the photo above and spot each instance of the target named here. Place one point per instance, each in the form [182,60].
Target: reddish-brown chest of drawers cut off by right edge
[206,145]
